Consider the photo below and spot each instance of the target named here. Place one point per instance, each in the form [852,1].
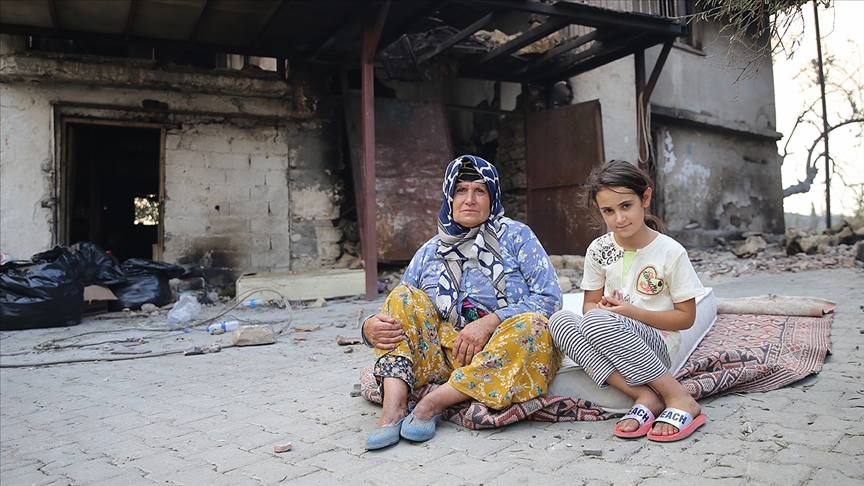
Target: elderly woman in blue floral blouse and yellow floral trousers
[470,313]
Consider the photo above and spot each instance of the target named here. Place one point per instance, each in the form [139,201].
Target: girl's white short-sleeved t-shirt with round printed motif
[657,277]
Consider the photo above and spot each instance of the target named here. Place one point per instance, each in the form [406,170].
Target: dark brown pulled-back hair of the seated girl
[617,173]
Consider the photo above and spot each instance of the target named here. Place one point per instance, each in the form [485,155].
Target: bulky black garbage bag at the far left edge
[45,291]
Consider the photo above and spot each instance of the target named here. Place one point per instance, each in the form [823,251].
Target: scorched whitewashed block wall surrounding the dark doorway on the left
[252,162]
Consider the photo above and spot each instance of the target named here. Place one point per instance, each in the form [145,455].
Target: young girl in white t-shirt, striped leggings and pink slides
[640,290]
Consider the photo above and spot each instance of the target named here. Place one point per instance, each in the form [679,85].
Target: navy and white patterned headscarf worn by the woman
[458,244]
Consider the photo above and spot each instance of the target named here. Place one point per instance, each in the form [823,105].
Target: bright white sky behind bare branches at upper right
[842,31]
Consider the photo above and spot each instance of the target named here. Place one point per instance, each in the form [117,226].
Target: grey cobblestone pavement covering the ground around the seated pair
[215,418]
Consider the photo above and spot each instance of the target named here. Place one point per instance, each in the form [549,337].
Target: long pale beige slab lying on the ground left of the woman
[306,286]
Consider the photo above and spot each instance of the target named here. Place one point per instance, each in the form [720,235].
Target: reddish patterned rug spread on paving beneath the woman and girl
[741,354]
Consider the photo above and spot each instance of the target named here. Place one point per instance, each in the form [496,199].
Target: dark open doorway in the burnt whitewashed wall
[112,188]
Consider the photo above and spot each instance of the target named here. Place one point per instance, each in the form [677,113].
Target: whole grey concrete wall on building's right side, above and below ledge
[715,159]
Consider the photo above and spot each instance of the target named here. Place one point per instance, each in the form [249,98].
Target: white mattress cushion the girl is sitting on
[572,381]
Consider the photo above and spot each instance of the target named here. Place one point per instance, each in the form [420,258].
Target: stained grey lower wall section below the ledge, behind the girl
[716,184]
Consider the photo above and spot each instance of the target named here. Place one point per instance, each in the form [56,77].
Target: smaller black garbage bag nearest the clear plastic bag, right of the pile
[145,281]
